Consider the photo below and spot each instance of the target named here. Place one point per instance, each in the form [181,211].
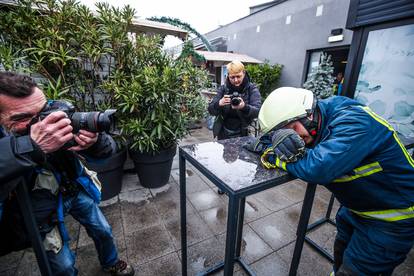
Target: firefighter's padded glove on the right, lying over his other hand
[287,145]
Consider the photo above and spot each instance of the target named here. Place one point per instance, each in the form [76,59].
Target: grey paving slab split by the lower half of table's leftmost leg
[197,230]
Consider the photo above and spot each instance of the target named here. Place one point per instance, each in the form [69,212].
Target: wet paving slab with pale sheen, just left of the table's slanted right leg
[274,230]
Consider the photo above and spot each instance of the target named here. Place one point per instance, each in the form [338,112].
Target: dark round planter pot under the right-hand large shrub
[153,169]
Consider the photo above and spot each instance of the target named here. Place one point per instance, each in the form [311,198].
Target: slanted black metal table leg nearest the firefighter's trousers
[302,227]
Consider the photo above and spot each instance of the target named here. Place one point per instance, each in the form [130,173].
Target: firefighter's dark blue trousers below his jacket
[370,247]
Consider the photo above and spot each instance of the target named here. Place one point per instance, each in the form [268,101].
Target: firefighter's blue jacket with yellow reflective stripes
[361,160]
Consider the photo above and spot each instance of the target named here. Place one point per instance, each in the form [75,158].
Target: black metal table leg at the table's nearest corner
[232,219]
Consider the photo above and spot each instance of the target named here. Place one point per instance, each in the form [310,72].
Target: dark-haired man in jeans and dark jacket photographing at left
[56,178]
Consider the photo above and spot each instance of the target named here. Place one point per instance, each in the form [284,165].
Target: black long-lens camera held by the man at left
[94,121]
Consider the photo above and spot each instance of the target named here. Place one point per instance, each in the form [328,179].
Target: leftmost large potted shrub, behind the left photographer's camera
[72,52]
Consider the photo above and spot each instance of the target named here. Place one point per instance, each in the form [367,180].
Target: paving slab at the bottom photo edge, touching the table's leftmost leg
[169,265]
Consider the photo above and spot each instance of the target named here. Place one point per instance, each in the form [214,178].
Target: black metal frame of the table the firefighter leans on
[235,218]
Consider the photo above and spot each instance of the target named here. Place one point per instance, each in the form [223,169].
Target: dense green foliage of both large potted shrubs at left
[90,60]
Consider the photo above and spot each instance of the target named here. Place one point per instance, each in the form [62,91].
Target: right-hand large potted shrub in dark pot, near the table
[158,98]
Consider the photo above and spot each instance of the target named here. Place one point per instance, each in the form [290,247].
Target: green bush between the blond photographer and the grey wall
[265,75]
